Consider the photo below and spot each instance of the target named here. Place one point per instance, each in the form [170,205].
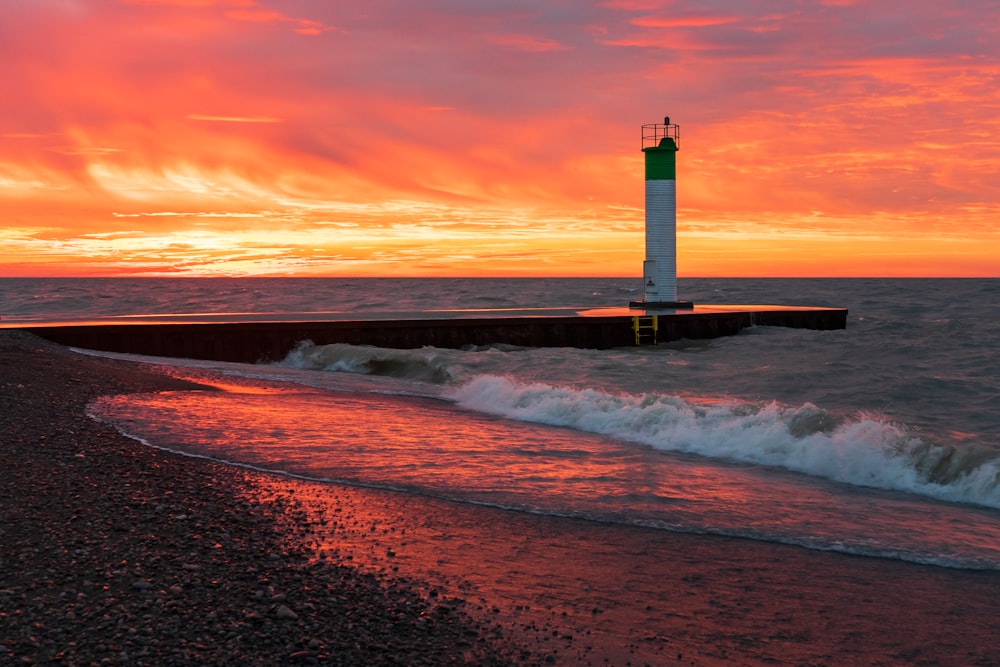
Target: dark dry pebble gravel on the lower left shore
[116,553]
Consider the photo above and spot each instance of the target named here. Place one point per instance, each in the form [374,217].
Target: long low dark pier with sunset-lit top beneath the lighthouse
[255,337]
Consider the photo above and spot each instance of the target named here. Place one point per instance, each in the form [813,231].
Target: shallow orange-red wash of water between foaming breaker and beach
[432,447]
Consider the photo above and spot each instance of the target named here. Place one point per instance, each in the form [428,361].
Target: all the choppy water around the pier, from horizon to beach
[880,440]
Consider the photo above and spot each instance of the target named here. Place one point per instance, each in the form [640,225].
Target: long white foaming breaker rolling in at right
[866,450]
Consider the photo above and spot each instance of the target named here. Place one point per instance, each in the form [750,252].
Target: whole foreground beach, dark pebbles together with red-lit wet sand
[112,552]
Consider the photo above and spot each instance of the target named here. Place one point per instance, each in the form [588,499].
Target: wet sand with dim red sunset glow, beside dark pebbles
[593,594]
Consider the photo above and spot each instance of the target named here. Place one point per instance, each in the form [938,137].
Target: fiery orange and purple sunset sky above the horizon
[496,137]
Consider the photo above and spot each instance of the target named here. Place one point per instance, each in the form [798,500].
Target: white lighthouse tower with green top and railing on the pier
[660,144]
